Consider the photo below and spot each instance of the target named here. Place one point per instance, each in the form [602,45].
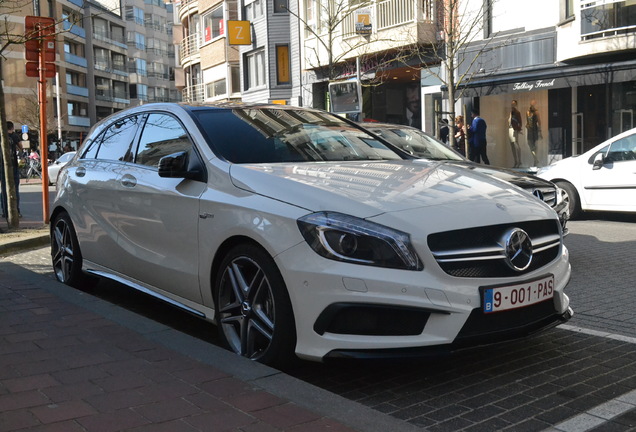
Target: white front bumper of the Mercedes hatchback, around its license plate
[442,313]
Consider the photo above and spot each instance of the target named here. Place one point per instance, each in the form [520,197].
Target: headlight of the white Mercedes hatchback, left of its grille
[346,238]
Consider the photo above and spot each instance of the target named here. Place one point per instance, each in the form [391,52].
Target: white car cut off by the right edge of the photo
[603,178]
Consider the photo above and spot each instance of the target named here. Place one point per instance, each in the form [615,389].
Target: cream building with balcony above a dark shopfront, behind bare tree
[382,44]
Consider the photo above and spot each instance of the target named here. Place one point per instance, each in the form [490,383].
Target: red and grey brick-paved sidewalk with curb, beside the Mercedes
[66,366]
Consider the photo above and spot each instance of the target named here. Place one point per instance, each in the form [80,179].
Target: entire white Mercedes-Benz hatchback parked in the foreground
[299,233]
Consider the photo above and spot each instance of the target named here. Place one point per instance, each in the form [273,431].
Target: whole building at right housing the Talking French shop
[572,60]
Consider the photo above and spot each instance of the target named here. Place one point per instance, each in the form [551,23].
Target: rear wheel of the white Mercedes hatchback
[65,252]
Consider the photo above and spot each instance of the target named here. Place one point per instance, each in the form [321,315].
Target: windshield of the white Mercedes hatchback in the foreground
[269,135]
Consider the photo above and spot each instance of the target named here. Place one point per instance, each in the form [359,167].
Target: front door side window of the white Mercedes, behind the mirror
[163,135]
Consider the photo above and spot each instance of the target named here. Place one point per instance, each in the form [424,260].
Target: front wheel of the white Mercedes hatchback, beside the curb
[253,311]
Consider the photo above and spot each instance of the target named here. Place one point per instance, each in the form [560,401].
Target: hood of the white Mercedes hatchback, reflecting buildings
[369,188]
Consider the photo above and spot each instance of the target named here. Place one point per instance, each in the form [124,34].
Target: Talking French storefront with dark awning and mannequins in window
[573,108]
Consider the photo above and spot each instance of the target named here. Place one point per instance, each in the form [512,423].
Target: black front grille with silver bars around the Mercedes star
[480,252]
